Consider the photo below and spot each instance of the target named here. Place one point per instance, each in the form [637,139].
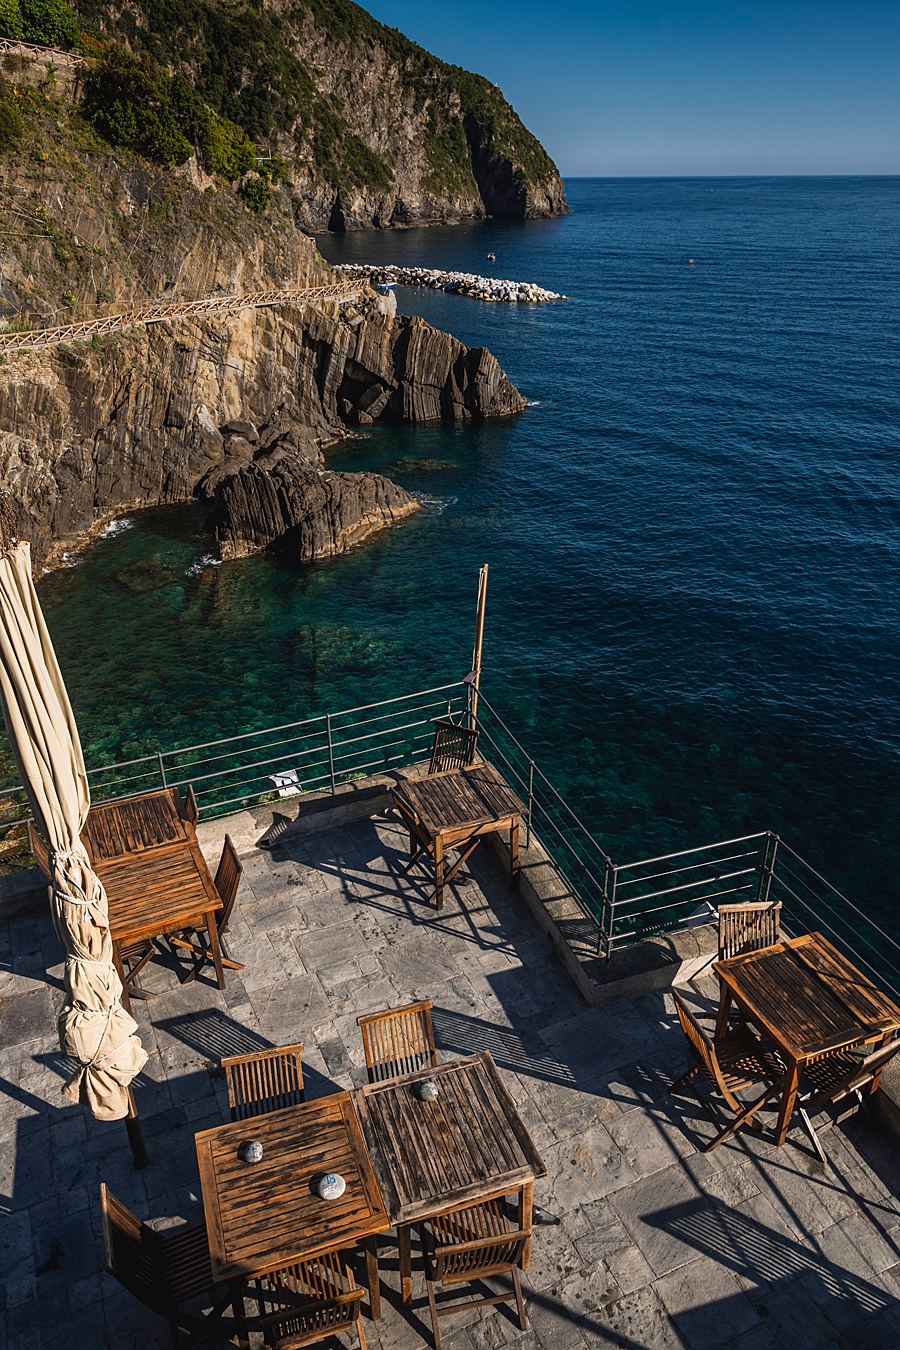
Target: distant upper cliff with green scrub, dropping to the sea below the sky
[372,129]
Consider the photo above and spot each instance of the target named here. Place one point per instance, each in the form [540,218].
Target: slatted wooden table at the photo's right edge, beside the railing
[809,1000]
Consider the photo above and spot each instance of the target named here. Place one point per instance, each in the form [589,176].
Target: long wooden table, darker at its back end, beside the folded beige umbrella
[146,854]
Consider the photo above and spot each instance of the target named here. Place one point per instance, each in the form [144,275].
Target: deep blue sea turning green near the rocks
[693,533]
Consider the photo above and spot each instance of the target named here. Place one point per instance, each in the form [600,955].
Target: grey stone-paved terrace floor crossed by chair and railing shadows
[659,1245]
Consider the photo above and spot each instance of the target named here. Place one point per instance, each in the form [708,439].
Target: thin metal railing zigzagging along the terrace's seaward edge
[628,902]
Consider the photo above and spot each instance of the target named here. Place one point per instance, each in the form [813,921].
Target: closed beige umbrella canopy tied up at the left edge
[94,1027]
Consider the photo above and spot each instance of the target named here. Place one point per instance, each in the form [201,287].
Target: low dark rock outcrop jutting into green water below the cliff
[300,511]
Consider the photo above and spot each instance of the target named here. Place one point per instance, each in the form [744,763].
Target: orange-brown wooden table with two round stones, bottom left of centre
[265,1216]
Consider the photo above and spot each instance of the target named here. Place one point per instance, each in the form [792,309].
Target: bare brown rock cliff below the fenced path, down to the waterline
[91,433]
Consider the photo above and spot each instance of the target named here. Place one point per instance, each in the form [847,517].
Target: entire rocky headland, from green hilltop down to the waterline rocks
[198,194]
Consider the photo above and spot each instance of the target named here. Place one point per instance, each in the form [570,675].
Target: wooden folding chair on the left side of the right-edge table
[731,1064]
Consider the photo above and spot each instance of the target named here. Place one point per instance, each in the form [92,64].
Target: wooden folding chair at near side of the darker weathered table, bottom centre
[468,1245]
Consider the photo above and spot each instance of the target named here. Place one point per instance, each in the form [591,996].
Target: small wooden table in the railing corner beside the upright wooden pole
[455,811]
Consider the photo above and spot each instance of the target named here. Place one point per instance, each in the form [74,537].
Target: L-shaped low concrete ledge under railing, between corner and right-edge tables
[654,965]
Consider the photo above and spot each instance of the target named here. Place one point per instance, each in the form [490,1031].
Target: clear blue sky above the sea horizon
[683,88]
